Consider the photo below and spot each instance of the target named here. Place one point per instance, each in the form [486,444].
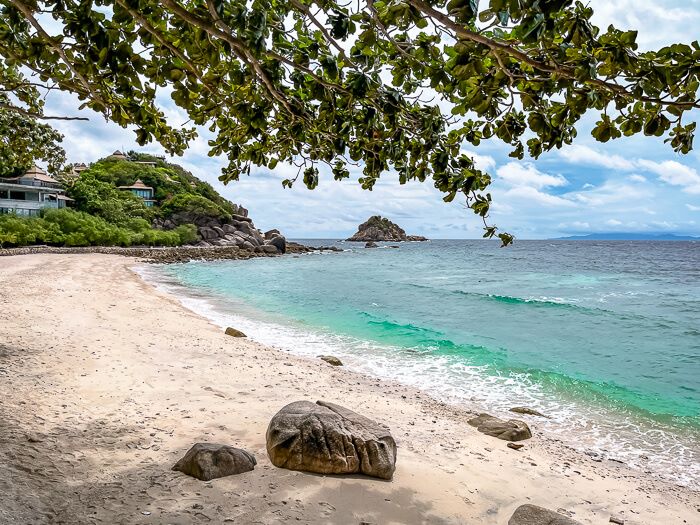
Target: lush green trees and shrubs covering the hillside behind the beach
[104,215]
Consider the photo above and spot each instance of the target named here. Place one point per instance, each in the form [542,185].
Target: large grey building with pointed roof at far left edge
[30,193]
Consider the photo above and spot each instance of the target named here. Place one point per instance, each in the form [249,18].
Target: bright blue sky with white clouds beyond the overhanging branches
[634,184]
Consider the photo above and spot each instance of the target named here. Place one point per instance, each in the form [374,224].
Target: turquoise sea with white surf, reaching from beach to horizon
[604,337]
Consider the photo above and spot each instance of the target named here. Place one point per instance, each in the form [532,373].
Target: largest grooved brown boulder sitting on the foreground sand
[329,439]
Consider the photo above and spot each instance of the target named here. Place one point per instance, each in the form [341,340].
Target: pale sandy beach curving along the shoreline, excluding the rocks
[106,382]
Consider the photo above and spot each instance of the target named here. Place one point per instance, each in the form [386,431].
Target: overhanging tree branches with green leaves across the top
[386,84]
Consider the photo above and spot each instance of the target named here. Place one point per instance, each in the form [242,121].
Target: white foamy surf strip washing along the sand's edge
[642,444]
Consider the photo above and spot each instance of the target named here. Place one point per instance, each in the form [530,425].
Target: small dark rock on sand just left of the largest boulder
[207,461]
